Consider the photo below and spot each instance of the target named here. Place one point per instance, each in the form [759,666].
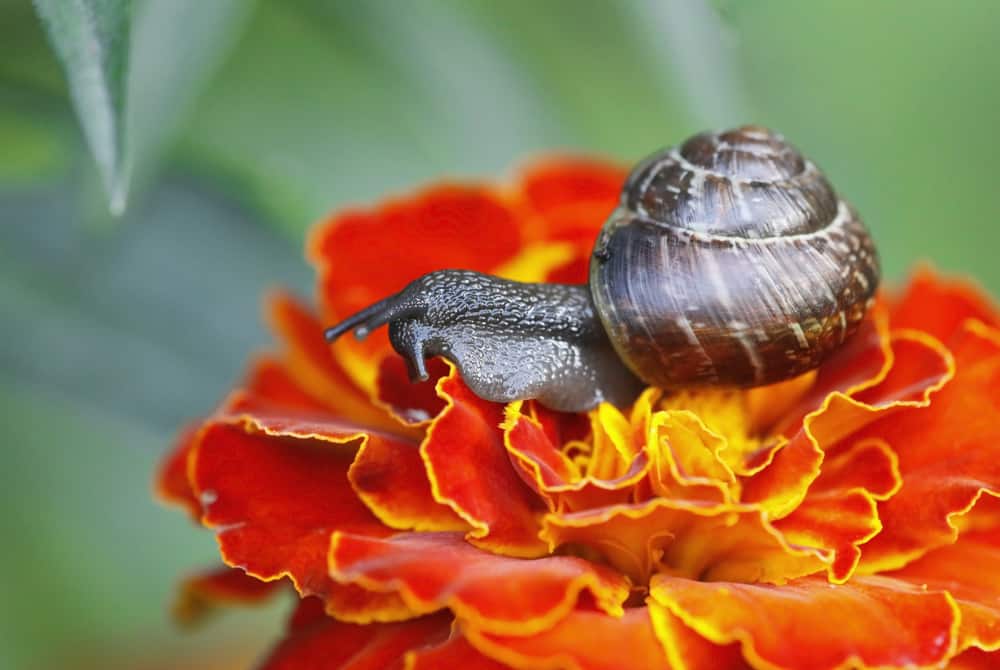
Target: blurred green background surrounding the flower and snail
[250,120]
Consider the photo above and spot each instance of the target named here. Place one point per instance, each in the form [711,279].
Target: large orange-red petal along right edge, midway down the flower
[949,454]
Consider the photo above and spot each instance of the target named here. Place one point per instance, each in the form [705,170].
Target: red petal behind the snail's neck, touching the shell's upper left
[573,196]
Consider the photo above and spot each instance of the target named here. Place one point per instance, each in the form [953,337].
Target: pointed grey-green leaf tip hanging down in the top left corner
[92,40]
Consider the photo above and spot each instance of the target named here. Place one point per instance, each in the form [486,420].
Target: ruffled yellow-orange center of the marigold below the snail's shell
[660,490]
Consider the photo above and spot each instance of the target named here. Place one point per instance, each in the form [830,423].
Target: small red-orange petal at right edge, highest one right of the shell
[939,306]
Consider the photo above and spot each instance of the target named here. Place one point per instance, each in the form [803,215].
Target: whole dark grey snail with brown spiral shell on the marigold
[729,261]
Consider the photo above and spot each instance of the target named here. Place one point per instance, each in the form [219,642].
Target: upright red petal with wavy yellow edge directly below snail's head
[469,470]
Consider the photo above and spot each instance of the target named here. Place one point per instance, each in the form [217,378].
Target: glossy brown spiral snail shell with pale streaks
[730,261]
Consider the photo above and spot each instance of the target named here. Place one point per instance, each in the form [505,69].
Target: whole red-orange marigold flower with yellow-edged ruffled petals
[848,518]
